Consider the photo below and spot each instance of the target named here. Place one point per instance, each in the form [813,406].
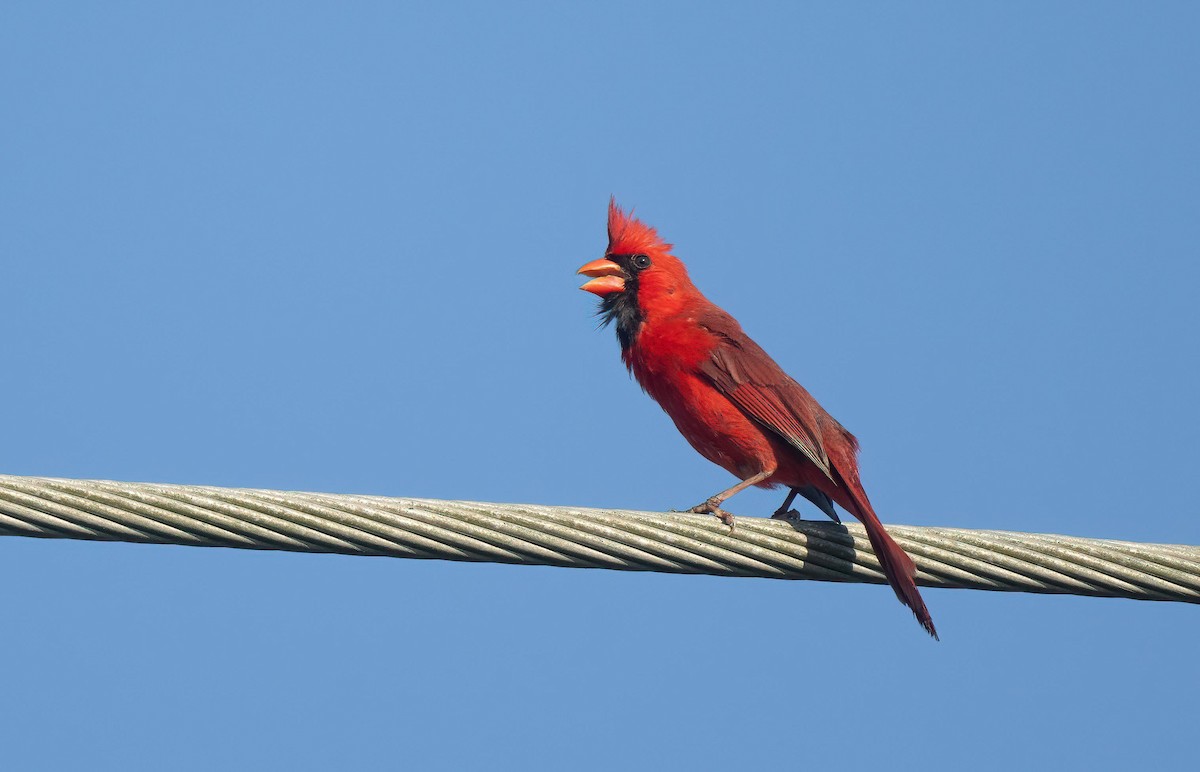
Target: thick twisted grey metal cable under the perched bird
[587,538]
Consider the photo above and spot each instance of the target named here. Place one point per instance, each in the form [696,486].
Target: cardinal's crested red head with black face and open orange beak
[638,277]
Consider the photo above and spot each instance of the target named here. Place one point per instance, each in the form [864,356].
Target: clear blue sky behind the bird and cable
[333,248]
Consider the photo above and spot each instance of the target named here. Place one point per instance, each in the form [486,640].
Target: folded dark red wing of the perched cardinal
[752,380]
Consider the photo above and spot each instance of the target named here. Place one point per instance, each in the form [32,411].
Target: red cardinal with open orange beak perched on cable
[728,398]
